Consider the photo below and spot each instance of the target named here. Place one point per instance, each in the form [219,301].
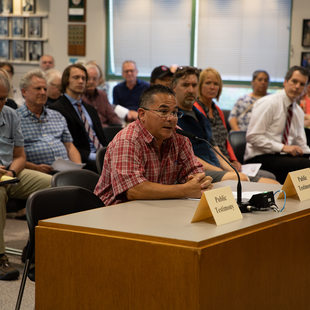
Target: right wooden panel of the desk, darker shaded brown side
[266,269]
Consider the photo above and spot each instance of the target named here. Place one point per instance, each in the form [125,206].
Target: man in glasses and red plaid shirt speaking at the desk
[148,160]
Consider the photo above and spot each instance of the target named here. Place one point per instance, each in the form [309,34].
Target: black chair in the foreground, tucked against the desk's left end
[52,202]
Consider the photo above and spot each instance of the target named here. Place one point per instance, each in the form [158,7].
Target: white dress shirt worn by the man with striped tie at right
[265,131]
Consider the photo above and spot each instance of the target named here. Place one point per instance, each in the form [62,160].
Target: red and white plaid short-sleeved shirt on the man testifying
[132,158]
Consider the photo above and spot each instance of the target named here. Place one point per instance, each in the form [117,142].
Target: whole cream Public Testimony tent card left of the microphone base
[220,204]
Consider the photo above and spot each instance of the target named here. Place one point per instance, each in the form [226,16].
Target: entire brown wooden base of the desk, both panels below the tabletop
[264,269]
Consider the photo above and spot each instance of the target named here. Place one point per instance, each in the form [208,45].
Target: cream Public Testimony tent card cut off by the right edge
[297,185]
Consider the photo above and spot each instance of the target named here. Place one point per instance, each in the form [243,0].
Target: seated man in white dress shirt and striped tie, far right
[279,146]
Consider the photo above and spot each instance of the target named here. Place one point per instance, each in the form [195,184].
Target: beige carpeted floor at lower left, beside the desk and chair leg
[15,236]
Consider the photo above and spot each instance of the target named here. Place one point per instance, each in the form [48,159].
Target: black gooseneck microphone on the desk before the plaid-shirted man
[243,206]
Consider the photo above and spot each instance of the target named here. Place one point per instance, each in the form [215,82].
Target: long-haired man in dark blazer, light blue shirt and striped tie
[71,106]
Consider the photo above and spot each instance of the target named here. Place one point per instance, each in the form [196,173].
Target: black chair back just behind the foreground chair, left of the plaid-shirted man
[84,178]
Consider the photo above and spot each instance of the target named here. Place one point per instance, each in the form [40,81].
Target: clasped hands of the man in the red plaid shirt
[196,184]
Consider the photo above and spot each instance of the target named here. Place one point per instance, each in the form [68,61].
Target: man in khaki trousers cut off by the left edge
[12,163]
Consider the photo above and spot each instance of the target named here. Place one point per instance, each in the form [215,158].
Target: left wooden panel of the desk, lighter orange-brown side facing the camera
[76,270]
